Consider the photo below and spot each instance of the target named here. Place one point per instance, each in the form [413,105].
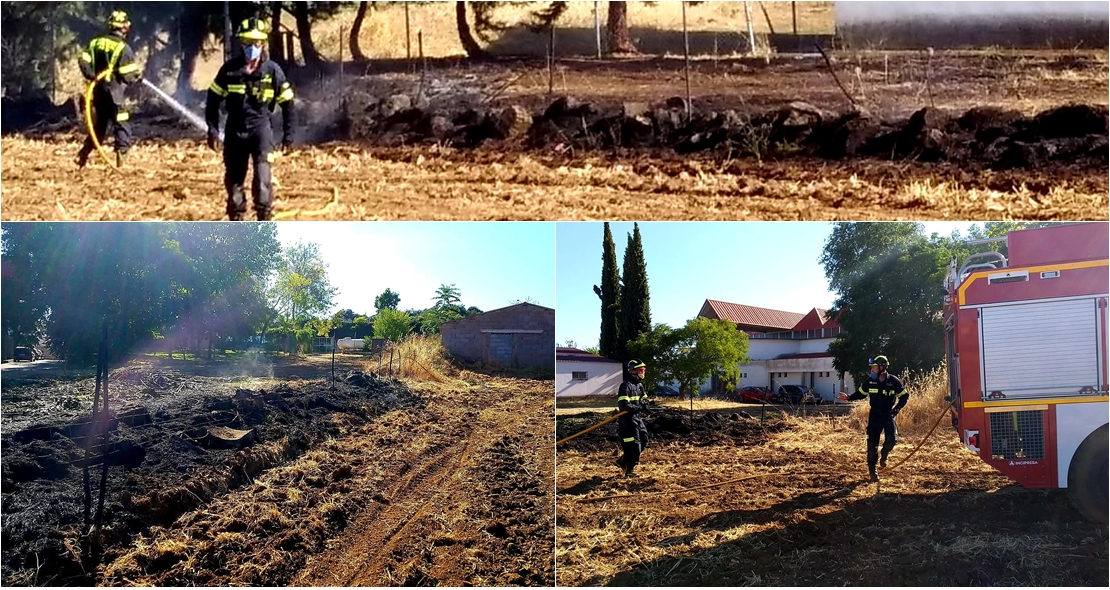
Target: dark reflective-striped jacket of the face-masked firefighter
[251,97]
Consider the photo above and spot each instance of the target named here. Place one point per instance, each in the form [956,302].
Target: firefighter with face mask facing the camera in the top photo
[253,87]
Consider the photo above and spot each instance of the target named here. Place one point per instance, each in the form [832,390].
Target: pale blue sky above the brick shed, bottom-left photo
[492,265]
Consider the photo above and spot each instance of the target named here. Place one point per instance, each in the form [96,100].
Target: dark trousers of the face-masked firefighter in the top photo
[241,149]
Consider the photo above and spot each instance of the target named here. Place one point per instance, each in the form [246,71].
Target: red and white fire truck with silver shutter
[1026,339]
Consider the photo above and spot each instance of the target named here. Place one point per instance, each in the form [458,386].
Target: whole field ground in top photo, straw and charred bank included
[770,139]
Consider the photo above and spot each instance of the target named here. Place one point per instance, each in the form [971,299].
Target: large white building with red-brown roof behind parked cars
[784,348]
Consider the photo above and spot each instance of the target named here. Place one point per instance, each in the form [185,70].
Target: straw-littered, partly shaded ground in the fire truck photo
[808,514]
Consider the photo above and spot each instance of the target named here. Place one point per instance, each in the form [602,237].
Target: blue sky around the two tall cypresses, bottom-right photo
[765,265]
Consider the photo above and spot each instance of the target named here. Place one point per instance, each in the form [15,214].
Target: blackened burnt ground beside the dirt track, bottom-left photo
[165,473]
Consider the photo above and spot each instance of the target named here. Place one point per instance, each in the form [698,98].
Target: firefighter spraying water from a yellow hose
[110,52]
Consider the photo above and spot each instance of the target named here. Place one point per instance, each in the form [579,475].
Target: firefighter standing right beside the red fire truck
[887,399]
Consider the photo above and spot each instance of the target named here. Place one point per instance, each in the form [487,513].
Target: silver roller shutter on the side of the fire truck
[1032,350]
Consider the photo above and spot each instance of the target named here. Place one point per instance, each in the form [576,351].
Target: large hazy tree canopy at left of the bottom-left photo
[143,281]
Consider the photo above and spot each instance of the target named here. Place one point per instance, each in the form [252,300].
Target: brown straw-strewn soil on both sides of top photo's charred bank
[171,178]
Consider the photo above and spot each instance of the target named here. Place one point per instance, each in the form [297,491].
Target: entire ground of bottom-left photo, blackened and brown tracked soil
[375,483]
